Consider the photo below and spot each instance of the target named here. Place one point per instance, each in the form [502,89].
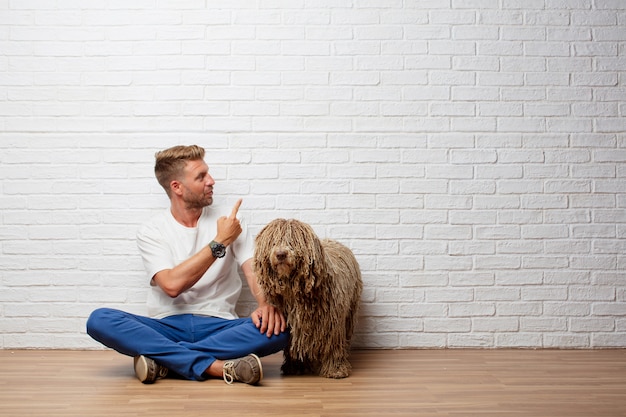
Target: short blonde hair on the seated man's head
[171,162]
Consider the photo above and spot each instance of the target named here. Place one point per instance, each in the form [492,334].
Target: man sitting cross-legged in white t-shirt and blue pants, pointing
[191,255]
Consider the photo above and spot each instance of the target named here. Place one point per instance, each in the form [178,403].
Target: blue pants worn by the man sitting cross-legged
[186,344]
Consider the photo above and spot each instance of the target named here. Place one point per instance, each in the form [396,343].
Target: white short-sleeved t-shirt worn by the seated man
[165,243]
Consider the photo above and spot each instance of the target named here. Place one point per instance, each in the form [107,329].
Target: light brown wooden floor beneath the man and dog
[481,383]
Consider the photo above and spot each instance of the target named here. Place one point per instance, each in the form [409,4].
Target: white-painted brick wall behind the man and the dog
[471,152]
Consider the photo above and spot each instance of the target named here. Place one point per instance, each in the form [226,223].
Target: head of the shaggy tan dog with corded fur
[288,258]
